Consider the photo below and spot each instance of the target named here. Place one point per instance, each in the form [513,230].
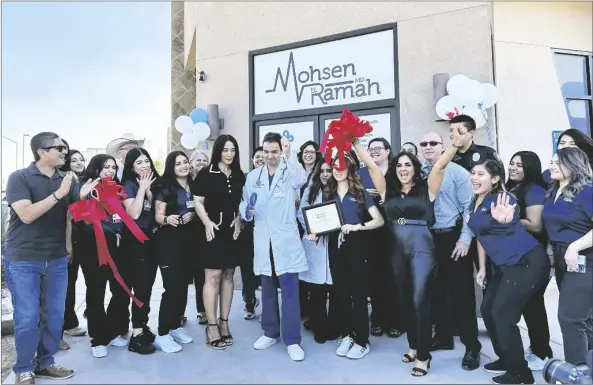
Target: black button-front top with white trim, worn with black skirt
[222,194]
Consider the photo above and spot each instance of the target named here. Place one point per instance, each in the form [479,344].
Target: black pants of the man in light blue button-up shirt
[454,295]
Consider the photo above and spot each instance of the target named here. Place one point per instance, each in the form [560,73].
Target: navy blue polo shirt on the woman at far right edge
[568,219]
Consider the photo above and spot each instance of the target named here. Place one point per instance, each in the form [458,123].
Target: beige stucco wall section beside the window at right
[531,104]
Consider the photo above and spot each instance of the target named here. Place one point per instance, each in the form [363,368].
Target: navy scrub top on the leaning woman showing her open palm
[505,244]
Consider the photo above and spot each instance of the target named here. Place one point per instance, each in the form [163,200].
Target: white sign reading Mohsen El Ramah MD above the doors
[352,70]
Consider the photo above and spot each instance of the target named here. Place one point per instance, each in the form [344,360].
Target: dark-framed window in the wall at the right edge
[575,77]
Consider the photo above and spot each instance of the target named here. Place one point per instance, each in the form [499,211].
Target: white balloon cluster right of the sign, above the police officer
[467,97]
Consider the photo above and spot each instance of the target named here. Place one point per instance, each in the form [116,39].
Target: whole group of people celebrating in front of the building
[415,236]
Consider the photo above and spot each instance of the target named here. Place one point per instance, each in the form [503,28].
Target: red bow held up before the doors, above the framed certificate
[343,131]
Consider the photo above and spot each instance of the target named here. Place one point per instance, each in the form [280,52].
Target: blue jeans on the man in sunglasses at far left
[38,296]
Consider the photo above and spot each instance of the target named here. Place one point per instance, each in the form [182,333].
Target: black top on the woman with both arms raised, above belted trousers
[414,205]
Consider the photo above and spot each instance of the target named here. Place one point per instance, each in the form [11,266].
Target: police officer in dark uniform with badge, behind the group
[470,153]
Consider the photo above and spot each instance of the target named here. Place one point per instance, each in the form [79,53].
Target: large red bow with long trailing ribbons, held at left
[101,208]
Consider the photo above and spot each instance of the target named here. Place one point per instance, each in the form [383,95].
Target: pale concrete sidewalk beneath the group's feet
[240,363]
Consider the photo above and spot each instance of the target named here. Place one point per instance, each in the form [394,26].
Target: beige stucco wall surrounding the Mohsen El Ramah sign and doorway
[451,37]
